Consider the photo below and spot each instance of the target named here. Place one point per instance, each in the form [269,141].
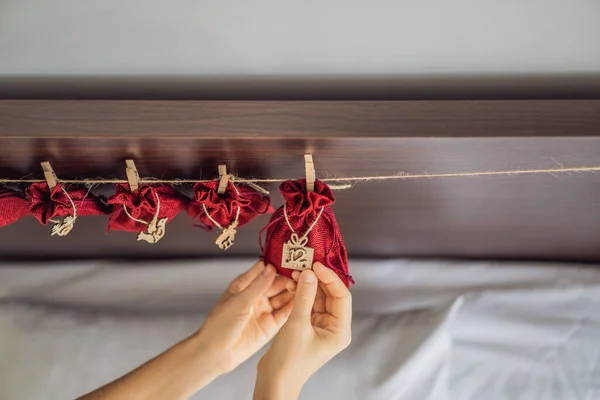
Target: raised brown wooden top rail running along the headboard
[298,119]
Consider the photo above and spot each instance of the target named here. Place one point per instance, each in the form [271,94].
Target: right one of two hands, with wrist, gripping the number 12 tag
[317,329]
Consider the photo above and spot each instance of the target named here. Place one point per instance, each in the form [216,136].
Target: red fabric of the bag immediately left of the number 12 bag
[223,207]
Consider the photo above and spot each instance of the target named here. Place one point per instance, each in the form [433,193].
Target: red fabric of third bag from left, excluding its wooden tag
[142,204]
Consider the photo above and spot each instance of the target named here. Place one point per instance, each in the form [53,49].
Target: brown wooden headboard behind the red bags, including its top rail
[507,217]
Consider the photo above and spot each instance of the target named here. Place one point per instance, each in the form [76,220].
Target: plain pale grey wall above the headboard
[303,37]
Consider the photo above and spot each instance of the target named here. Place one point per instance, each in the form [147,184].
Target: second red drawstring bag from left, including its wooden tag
[46,205]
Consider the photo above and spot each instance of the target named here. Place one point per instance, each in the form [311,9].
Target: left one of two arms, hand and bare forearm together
[246,317]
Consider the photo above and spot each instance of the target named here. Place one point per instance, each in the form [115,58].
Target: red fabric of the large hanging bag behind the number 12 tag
[302,210]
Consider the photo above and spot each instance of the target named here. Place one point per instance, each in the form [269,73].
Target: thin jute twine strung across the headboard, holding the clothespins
[345,182]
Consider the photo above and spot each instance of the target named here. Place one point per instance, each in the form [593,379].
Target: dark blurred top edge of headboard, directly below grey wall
[426,86]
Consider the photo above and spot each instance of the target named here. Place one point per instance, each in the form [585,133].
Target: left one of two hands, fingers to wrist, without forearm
[250,312]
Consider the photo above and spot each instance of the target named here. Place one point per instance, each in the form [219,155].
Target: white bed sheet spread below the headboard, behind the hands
[423,330]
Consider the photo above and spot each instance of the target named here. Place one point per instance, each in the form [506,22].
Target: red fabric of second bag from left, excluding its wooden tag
[46,204]
